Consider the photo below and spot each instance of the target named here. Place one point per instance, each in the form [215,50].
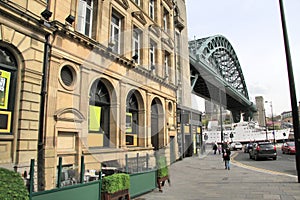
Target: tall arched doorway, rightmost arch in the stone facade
[157,121]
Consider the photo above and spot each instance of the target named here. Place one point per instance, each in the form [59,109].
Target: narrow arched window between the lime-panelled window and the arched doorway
[132,120]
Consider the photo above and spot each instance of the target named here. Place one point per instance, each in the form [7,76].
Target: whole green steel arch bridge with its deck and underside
[220,76]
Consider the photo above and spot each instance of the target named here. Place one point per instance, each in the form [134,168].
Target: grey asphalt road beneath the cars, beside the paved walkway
[284,163]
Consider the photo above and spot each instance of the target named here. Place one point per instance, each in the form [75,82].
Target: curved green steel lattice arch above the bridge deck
[218,51]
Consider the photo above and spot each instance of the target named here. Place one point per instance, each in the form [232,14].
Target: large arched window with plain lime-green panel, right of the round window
[99,109]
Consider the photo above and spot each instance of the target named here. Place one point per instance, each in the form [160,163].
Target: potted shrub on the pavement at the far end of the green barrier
[162,172]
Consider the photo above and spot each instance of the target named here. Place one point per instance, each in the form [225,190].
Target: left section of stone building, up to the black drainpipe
[22,73]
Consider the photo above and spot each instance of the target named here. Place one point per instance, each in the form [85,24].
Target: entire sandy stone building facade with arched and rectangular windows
[99,79]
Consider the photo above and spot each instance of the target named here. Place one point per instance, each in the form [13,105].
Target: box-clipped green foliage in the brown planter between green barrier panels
[115,182]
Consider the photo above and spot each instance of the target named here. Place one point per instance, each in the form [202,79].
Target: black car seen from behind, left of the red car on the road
[263,150]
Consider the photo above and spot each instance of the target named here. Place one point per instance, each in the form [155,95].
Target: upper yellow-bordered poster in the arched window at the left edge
[4,88]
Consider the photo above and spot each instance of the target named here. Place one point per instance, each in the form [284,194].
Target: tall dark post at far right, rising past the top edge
[292,89]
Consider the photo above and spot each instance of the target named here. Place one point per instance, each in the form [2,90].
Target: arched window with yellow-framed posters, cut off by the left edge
[8,76]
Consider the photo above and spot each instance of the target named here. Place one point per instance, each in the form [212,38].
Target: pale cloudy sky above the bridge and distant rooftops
[253,28]
